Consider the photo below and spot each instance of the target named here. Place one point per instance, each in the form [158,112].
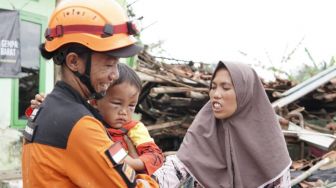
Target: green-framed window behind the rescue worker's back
[33,69]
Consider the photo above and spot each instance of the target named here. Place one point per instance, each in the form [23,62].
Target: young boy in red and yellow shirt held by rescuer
[117,108]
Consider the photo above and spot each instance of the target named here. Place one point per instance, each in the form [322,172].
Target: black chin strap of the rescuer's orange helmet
[85,79]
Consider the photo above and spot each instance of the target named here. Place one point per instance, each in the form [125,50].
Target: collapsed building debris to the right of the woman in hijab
[309,127]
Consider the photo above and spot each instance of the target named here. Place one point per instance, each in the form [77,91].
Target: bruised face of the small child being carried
[118,105]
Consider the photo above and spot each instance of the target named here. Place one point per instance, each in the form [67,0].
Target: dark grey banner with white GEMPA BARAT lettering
[10,60]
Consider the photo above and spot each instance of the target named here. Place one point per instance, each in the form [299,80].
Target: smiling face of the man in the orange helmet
[103,71]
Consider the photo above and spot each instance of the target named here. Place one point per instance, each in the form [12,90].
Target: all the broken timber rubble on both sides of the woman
[173,94]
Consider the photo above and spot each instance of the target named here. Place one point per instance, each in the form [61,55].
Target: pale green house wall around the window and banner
[37,11]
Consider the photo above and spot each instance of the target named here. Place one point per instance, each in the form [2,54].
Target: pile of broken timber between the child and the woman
[172,95]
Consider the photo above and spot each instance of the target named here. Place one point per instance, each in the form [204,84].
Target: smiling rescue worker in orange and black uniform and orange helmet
[66,145]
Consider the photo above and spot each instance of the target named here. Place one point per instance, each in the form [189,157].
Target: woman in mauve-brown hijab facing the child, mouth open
[235,140]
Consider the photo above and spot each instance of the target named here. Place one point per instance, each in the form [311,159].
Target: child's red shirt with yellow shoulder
[148,151]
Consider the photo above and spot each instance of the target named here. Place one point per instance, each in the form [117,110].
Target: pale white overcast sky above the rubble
[258,32]
